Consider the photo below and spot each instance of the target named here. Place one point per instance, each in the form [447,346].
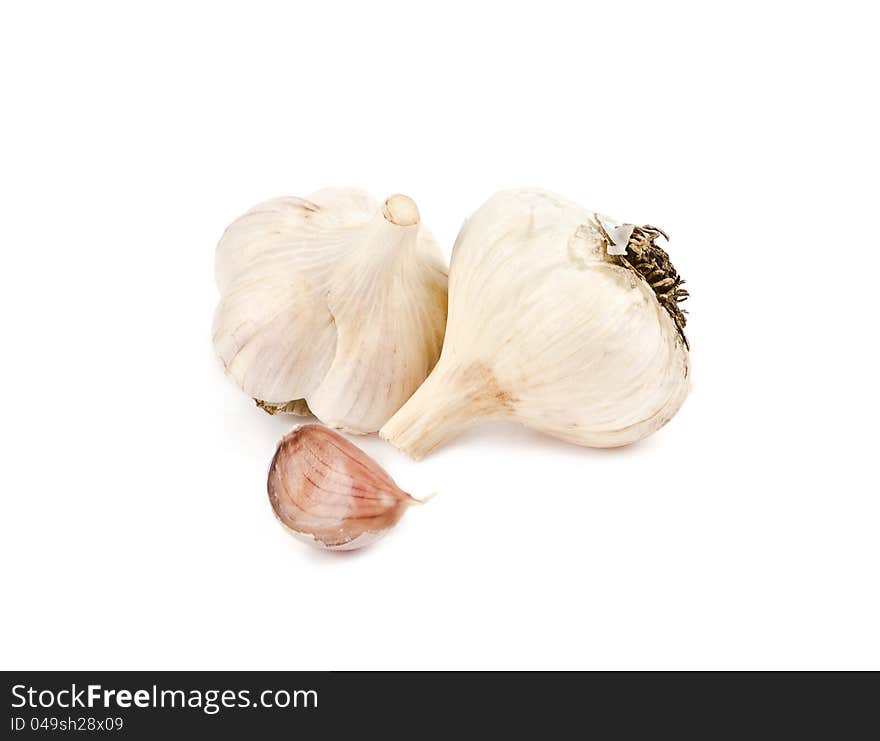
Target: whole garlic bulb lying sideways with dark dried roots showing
[549,328]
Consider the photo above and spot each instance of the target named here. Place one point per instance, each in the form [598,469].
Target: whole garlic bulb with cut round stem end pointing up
[334,305]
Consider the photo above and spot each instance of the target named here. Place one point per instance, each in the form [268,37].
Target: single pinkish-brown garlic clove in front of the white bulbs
[330,492]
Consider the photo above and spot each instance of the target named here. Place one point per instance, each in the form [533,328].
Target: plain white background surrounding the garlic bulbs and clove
[136,531]
